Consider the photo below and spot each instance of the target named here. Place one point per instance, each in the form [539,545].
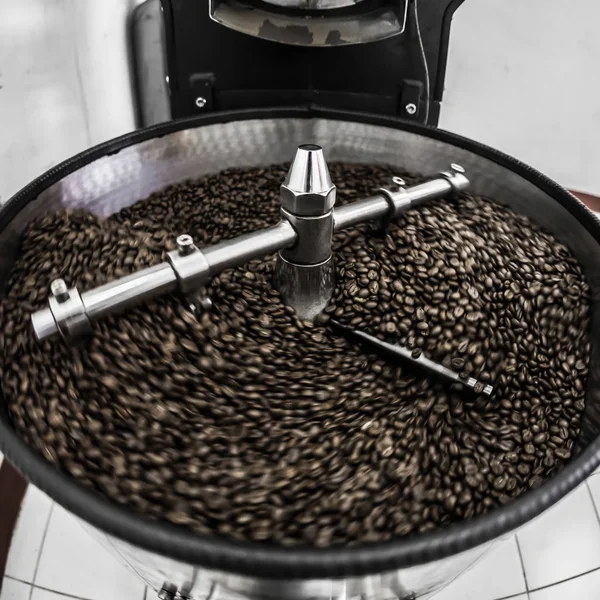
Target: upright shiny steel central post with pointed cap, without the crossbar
[304,273]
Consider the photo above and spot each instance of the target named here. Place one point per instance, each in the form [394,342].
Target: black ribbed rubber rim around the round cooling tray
[269,561]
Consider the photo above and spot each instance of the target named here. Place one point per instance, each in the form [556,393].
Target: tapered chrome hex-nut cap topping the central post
[308,190]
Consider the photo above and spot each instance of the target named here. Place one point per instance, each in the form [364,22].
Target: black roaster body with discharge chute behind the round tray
[376,56]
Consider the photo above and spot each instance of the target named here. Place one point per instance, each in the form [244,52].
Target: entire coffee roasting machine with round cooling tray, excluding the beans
[242,83]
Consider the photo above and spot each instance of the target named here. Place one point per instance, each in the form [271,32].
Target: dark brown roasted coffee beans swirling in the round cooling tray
[252,424]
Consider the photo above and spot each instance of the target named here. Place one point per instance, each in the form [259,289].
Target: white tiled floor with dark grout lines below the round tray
[555,557]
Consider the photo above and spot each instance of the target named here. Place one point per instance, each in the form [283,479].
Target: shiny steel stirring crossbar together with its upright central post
[304,272]
